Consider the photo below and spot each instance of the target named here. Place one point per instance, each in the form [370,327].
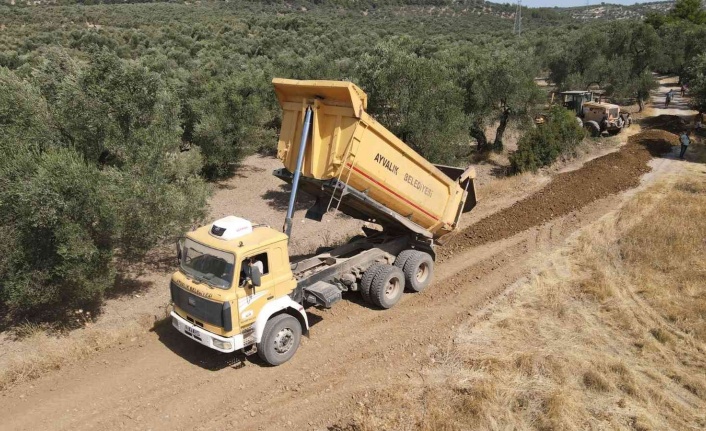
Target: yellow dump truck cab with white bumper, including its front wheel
[233,278]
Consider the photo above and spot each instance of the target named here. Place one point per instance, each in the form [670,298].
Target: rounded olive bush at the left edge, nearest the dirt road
[58,232]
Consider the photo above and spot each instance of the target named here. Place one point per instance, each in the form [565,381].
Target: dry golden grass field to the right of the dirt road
[609,334]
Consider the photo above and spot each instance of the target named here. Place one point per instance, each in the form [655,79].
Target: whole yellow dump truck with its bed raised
[236,287]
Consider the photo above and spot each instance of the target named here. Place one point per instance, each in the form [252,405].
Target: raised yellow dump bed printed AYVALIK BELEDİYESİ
[353,163]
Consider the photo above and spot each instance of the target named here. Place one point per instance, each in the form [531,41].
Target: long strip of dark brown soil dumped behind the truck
[567,192]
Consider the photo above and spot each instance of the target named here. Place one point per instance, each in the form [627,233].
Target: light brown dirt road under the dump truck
[161,380]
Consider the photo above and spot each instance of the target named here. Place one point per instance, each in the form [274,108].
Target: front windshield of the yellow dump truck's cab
[206,264]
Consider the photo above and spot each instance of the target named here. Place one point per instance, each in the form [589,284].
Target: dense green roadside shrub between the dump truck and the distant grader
[560,134]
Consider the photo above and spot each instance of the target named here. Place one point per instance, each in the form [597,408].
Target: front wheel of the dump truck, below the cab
[280,339]
